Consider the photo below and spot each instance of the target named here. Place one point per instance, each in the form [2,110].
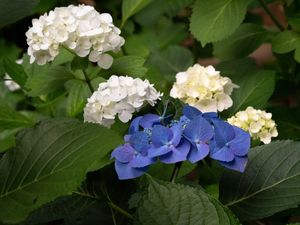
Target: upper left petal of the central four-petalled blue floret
[161,135]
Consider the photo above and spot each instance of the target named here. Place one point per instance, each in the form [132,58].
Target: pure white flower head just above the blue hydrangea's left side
[119,96]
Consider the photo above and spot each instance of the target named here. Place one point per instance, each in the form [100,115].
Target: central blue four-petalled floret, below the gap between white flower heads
[168,144]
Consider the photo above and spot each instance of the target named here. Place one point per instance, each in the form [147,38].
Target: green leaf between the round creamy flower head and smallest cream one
[254,90]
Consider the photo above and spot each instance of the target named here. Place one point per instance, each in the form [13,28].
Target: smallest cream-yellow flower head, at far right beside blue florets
[258,123]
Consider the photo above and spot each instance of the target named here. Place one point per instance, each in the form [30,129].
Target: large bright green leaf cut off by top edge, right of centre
[216,19]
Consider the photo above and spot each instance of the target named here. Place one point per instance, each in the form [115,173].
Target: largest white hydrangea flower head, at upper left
[80,28]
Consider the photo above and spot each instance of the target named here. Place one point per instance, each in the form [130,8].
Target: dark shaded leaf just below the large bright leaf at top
[247,38]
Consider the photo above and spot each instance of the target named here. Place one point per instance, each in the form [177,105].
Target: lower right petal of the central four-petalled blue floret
[178,154]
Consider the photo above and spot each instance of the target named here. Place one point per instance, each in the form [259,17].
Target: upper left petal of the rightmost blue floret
[224,132]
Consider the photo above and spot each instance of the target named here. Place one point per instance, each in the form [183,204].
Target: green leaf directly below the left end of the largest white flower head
[47,79]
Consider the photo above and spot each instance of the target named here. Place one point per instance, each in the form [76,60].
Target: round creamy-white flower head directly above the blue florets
[203,88]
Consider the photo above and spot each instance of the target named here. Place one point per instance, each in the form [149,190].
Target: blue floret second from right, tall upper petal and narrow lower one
[198,132]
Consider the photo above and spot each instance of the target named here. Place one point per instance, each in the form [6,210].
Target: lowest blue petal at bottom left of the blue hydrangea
[125,171]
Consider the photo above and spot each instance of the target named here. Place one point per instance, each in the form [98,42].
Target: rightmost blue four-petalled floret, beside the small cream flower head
[230,146]
